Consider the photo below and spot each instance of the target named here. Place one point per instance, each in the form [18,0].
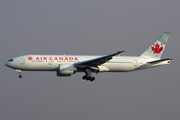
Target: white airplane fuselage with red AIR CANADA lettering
[51,62]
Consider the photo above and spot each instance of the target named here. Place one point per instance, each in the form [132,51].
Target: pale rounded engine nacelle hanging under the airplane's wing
[66,70]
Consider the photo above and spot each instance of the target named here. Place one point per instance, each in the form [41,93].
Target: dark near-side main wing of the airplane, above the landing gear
[97,61]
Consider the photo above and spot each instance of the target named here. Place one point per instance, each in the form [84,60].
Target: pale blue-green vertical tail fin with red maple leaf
[156,49]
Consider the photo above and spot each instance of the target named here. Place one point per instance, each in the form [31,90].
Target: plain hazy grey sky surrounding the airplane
[89,27]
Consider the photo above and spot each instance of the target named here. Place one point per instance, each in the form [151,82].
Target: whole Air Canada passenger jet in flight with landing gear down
[66,65]
